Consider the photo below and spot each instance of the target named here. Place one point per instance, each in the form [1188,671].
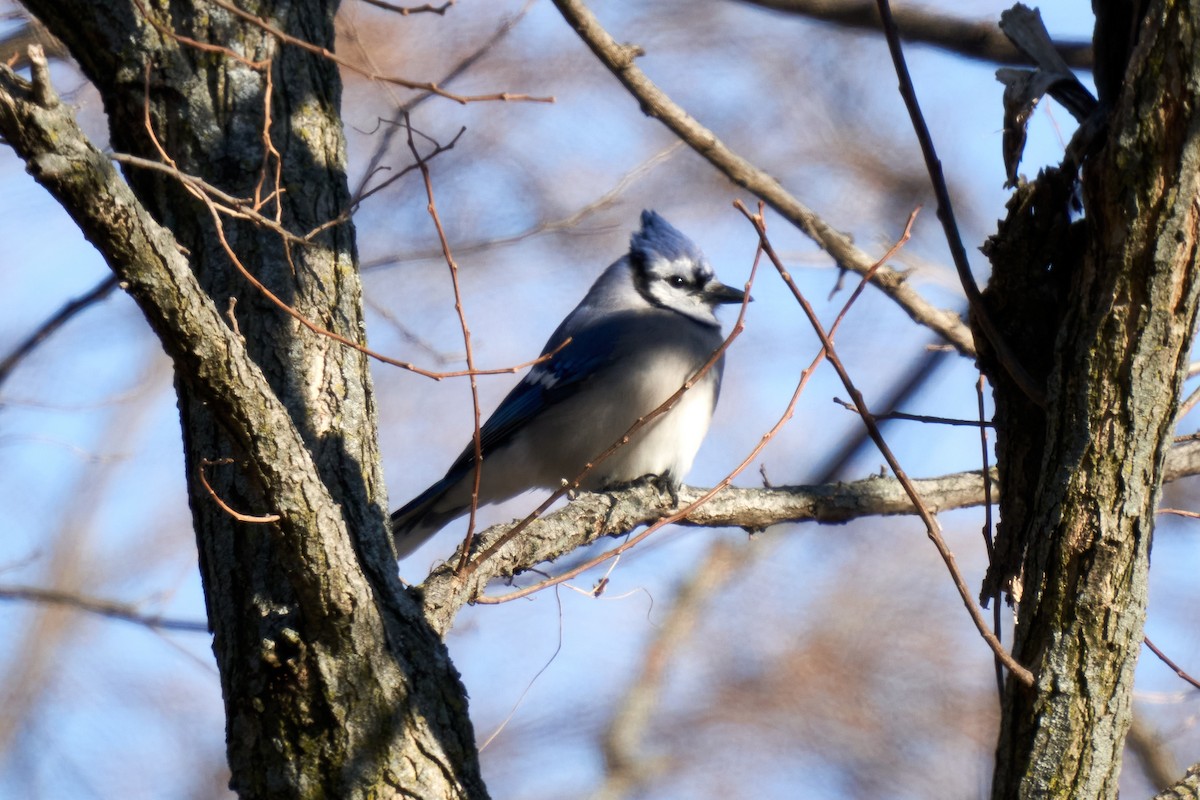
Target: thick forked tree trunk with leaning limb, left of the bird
[334,684]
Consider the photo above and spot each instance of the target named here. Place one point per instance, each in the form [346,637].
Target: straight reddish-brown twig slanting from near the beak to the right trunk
[932,526]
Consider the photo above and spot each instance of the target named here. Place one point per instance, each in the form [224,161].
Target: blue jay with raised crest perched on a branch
[645,328]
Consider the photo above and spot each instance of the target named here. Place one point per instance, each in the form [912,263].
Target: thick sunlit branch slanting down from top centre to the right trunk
[620,61]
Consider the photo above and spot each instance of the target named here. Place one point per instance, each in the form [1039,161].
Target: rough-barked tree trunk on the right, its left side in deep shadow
[1103,309]
